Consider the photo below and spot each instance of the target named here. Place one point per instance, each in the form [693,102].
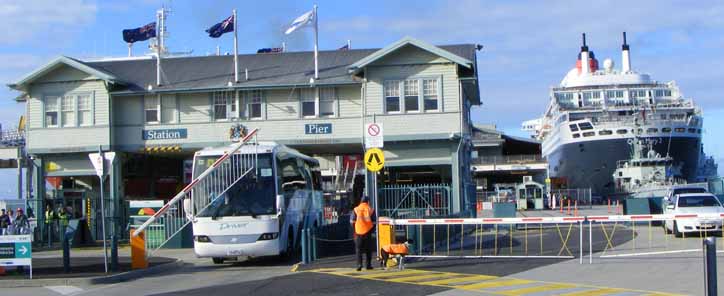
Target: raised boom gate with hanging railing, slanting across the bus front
[226,171]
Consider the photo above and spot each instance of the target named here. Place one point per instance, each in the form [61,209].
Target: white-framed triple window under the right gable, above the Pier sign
[412,95]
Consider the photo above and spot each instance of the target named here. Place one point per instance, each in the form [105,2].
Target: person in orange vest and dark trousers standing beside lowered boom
[363,222]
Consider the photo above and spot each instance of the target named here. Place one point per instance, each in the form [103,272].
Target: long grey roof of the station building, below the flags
[265,70]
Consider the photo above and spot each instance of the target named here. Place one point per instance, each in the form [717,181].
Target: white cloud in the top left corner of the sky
[23,21]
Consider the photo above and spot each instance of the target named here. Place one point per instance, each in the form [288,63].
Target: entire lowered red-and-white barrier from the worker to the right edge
[558,237]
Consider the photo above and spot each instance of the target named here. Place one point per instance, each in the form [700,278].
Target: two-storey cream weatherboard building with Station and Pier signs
[420,93]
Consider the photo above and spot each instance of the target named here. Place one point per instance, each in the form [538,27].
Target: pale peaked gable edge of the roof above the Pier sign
[456,58]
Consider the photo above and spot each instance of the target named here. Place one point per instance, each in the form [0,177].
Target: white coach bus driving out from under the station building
[263,213]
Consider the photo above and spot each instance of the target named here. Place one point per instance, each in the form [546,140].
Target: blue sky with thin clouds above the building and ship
[528,45]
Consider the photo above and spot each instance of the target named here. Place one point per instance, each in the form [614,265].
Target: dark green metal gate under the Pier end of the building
[415,201]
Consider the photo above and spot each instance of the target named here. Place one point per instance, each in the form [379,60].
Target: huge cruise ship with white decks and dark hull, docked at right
[595,114]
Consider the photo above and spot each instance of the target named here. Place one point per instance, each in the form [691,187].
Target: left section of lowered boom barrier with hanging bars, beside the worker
[539,237]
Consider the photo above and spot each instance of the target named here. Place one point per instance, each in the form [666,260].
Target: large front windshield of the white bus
[253,195]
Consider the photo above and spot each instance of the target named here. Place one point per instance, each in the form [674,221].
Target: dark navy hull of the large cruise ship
[591,164]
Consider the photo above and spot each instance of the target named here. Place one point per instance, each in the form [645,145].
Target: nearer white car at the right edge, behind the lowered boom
[694,203]
